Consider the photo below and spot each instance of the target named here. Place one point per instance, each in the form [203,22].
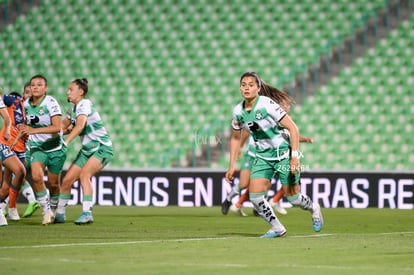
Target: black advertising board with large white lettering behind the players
[196,188]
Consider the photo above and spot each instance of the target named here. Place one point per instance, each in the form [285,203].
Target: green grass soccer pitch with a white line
[172,240]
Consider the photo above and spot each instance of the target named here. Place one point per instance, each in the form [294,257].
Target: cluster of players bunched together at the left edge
[34,138]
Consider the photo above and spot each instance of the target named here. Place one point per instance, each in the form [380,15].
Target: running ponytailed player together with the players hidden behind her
[262,117]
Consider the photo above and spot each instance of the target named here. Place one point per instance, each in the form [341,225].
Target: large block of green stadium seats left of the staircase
[160,71]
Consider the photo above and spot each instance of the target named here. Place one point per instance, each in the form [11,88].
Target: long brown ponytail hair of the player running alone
[281,97]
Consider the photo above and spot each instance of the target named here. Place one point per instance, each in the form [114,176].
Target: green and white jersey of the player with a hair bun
[94,132]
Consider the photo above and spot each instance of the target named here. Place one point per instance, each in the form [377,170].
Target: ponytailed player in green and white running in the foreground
[261,116]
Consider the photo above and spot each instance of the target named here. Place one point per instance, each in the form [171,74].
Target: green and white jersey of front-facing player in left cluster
[41,116]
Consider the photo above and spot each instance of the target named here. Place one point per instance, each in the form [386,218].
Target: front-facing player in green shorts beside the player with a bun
[45,144]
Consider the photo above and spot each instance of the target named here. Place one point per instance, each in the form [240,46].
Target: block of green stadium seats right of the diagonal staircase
[362,119]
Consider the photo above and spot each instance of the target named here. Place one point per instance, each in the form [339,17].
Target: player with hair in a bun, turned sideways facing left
[96,152]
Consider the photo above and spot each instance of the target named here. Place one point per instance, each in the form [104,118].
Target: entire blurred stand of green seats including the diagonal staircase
[164,74]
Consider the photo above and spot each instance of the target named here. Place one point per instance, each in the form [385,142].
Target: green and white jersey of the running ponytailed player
[262,121]
